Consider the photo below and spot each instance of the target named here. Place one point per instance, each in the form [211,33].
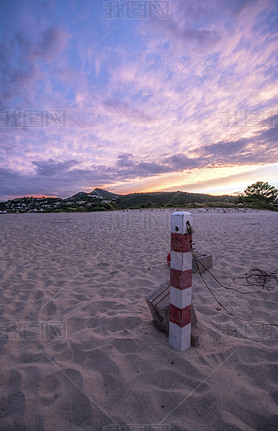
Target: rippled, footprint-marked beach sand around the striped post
[78,347]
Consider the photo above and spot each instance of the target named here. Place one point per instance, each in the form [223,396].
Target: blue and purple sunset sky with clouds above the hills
[137,96]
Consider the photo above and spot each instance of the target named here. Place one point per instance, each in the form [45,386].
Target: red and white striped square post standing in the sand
[180,280]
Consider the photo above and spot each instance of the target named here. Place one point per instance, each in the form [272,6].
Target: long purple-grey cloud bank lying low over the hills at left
[66,178]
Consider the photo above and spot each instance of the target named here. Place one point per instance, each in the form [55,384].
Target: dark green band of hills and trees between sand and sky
[259,195]
